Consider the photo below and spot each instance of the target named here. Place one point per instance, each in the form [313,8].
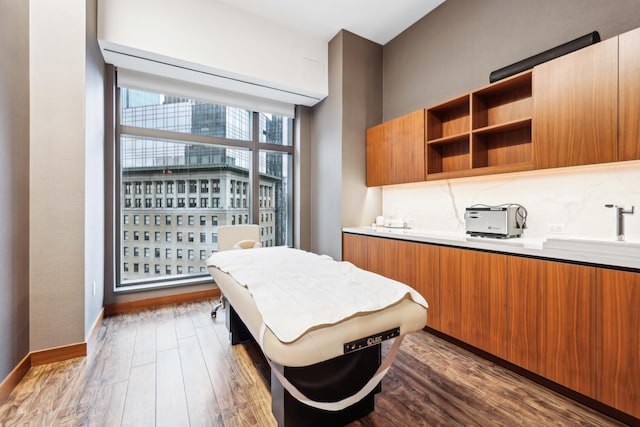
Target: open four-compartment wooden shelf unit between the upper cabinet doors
[485,131]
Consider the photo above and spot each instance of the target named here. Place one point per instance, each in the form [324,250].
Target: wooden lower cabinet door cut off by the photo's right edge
[619,340]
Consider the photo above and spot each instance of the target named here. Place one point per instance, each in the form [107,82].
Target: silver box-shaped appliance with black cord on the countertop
[502,221]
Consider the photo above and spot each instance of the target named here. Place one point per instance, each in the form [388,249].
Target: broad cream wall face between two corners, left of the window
[57,172]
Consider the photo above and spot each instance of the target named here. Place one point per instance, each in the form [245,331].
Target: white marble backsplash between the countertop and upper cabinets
[560,202]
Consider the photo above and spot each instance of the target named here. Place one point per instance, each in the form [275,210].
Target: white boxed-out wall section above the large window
[215,38]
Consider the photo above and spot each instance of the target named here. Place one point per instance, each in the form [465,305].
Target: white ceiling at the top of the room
[376,20]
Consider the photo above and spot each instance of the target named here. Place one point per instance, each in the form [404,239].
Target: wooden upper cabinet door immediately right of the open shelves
[575,107]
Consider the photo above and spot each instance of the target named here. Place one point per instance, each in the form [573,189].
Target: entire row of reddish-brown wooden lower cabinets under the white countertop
[578,326]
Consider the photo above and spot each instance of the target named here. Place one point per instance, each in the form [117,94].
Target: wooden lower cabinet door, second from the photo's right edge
[551,321]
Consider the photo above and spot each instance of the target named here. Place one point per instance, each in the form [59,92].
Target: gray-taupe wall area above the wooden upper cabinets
[453,49]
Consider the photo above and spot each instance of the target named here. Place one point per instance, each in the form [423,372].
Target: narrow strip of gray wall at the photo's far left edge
[14,183]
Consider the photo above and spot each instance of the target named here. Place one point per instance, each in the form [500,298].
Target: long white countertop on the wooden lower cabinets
[606,253]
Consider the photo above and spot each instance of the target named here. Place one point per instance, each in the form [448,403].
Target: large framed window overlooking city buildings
[193,166]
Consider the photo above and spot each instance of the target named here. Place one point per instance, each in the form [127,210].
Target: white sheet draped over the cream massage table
[296,291]
